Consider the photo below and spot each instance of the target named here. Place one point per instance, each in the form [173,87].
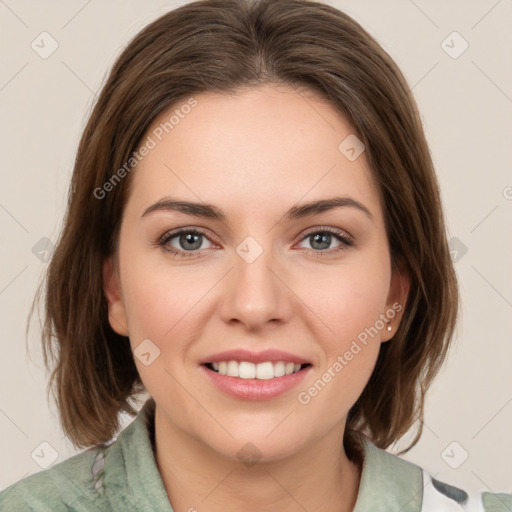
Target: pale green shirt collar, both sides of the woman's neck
[133,482]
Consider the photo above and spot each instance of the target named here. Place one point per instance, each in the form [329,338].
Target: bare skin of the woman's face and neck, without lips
[254,154]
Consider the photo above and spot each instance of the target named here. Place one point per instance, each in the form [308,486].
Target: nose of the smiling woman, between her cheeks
[256,291]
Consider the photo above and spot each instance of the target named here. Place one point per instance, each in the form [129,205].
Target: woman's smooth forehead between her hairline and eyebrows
[255,148]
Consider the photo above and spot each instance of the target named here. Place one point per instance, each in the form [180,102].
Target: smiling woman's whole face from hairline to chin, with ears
[271,275]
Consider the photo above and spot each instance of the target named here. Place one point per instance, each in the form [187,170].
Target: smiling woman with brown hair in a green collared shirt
[277,372]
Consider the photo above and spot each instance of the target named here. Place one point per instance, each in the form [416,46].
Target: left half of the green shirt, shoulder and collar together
[119,475]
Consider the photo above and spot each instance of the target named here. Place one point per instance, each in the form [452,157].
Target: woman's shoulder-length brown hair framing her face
[222,46]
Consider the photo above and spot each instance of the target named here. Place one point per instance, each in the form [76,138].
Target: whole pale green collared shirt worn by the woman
[123,476]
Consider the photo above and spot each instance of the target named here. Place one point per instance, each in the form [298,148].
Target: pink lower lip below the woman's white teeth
[255,389]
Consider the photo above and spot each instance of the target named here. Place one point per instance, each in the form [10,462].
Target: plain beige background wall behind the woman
[466,106]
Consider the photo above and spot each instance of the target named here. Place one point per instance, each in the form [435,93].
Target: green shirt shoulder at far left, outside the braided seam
[70,485]
